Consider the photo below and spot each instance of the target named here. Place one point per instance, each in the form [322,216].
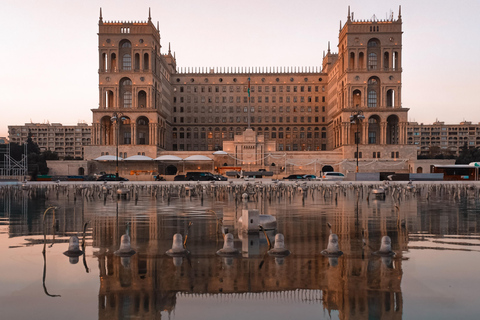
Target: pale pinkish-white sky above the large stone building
[50,48]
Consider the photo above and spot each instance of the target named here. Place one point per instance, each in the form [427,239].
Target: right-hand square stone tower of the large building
[366,78]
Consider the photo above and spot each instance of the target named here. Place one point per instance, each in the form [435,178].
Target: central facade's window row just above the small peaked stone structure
[244,119]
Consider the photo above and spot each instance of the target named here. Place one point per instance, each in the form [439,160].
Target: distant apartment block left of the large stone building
[66,141]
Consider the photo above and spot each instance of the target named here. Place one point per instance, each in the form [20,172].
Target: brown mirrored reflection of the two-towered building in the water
[360,286]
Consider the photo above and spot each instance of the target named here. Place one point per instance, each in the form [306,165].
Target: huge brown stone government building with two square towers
[148,105]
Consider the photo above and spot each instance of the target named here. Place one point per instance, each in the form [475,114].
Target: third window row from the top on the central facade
[238,99]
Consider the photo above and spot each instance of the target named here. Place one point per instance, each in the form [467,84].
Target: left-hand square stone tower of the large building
[134,86]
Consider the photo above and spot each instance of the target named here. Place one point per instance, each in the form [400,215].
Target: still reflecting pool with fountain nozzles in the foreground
[431,273]
